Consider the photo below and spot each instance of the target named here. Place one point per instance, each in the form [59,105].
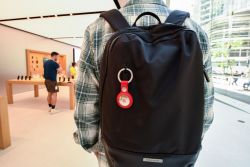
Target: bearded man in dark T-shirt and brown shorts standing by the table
[51,69]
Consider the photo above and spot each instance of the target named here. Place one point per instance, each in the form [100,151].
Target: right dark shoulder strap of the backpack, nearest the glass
[177,17]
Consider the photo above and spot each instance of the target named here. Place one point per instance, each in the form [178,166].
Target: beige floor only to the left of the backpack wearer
[40,139]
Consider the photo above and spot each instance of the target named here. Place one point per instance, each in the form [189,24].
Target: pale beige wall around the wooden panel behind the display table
[13,44]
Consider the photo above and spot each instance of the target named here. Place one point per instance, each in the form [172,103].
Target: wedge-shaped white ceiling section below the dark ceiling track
[57,27]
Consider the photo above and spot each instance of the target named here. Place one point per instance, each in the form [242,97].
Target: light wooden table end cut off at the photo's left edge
[4,124]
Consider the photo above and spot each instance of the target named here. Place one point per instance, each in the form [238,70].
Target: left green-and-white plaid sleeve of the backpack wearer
[87,116]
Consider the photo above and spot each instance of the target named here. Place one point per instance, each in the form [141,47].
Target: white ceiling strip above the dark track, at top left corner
[23,8]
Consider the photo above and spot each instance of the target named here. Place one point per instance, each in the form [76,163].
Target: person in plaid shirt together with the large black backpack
[144,94]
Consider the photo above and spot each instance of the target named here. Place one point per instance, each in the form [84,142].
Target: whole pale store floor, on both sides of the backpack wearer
[43,140]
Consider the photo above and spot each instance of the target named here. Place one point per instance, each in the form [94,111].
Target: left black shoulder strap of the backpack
[115,19]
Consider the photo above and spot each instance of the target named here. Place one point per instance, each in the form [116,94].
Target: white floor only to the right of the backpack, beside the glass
[227,143]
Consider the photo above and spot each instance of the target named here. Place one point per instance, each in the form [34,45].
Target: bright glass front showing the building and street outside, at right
[227,23]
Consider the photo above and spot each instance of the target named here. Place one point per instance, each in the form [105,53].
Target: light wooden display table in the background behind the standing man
[36,84]
